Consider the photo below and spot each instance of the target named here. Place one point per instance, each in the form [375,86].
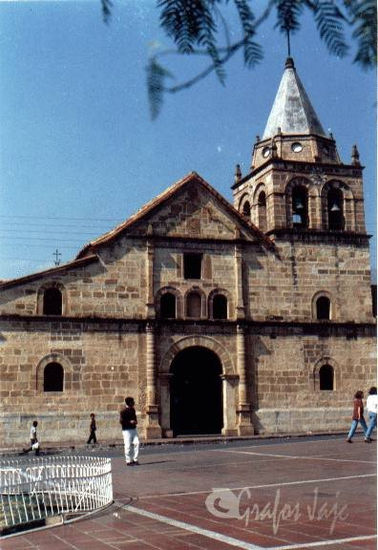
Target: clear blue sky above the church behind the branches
[79,151]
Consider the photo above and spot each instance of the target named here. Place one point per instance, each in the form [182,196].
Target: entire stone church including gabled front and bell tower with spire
[225,319]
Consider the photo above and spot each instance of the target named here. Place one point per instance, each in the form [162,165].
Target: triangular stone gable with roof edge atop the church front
[191,191]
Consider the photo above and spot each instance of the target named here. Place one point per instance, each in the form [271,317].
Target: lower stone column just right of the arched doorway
[244,409]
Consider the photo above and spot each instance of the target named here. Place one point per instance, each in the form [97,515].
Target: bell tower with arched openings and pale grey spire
[297,182]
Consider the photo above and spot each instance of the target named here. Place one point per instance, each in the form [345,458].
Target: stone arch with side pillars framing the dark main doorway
[226,374]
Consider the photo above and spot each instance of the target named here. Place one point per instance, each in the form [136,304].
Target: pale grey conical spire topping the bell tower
[292,110]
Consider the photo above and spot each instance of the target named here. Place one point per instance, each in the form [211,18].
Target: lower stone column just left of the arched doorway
[153,429]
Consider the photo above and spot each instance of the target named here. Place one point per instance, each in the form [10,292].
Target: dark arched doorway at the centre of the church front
[196,392]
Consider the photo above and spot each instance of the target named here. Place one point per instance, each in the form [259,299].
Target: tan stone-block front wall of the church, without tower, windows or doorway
[112,342]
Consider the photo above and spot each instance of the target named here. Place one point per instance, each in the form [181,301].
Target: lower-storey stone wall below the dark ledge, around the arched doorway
[104,362]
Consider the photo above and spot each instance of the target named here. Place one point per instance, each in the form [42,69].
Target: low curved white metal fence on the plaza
[38,488]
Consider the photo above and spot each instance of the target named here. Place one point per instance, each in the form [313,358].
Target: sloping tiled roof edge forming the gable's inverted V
[151,206]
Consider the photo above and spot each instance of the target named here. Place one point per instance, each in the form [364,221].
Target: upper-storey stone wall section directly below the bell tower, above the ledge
[286,284]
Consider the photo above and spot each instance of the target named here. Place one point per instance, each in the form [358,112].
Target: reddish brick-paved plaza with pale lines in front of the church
[253,494]
